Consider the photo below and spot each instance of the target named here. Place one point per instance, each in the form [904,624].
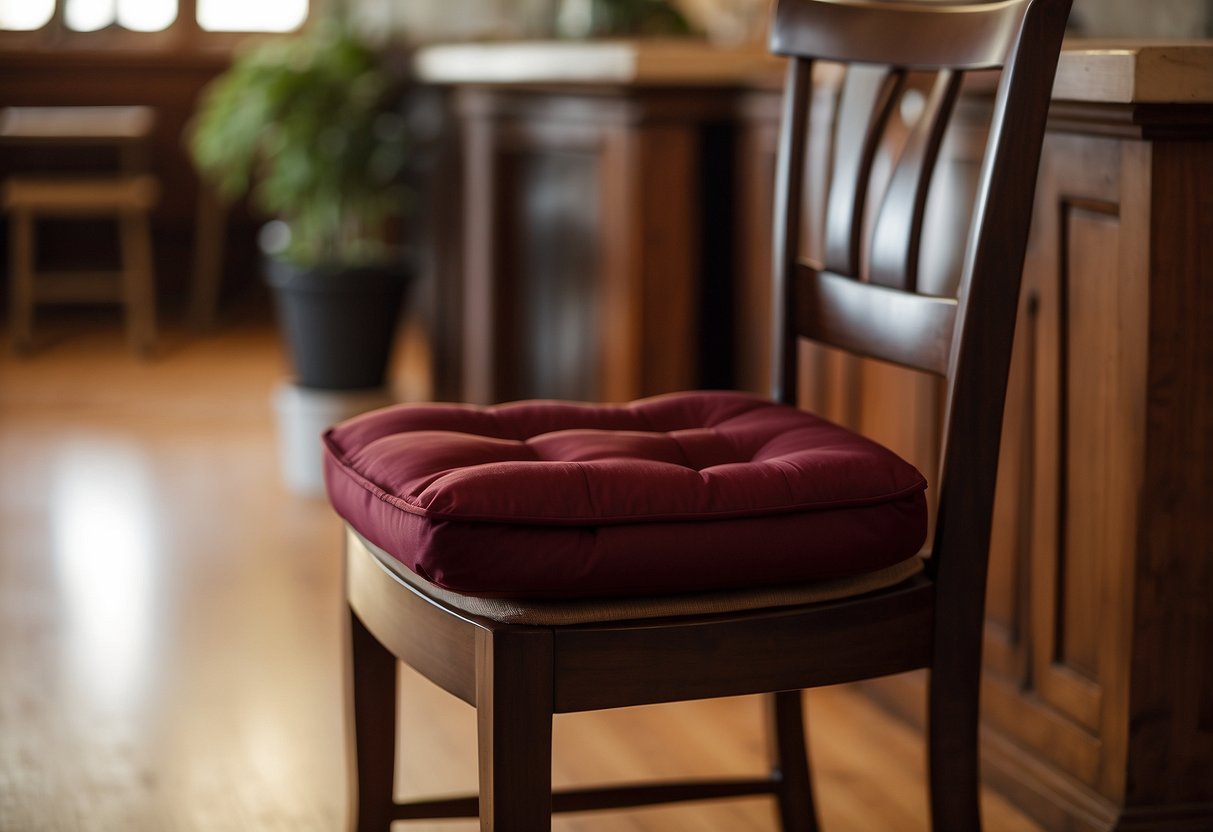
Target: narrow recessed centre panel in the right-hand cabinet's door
[1075,548]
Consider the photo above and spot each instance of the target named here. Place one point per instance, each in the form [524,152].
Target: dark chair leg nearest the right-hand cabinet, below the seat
[954,715]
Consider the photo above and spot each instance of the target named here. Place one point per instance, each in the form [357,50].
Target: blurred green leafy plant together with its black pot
[310,128]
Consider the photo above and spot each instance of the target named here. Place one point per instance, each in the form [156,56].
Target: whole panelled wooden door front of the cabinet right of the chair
[1066,489]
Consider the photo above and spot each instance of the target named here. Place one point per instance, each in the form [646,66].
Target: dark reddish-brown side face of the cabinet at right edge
[1172,744]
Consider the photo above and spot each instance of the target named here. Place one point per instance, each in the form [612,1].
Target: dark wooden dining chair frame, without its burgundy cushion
[521,662]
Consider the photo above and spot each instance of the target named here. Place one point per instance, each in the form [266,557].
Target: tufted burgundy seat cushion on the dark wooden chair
[688,492]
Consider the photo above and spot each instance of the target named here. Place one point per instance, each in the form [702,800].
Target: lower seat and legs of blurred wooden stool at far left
[128,200]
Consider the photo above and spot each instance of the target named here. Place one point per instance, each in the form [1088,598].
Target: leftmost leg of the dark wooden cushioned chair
[372,692]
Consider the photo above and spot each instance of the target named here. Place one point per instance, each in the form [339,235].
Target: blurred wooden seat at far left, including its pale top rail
[124,197]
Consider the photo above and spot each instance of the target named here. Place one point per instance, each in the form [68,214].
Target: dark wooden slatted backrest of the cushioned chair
[862,293]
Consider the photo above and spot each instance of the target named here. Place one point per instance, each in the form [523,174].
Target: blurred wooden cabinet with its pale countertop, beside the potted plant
[593,252]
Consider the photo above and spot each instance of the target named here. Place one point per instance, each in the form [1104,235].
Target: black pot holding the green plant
[339,323]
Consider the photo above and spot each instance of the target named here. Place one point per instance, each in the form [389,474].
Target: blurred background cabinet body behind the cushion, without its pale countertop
[588,247]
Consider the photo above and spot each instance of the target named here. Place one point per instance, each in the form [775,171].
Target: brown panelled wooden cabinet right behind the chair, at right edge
[1098,686]
